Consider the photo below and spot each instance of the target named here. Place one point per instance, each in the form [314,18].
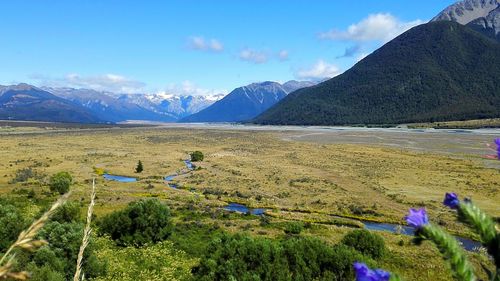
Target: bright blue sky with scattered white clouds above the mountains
[194,47]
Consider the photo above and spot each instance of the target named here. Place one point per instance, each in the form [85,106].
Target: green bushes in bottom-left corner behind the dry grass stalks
[56,260]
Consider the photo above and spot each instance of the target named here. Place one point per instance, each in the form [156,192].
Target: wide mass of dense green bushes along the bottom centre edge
[241,257]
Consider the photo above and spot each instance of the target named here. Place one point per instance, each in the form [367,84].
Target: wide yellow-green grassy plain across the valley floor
[328,185]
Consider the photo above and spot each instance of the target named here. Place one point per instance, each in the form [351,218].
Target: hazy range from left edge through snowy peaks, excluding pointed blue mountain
[27,102]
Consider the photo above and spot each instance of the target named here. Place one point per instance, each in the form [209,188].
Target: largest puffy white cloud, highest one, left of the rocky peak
[376,27]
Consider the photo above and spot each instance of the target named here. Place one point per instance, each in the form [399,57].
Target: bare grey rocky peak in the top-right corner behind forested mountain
[480,15]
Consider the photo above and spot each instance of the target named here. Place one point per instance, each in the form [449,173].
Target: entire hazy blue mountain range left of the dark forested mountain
[26,102]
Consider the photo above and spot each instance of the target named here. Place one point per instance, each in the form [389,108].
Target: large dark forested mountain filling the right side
[434,72]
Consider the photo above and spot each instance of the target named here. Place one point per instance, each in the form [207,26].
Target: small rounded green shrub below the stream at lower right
[365,242]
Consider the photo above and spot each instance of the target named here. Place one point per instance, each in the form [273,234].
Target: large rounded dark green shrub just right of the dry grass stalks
[142,222]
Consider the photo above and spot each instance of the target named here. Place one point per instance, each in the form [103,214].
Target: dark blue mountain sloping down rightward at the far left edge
[26,102]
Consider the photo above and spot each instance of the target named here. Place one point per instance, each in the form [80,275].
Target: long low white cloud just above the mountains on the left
[106,82]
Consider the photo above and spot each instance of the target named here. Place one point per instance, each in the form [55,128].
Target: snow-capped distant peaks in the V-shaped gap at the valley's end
[174,106]
